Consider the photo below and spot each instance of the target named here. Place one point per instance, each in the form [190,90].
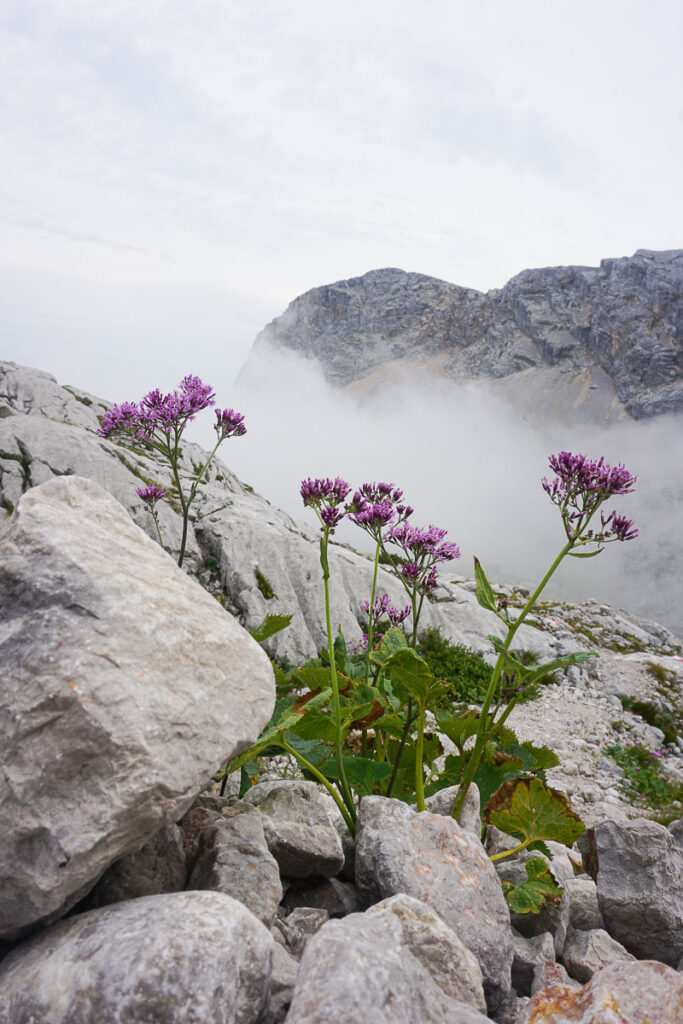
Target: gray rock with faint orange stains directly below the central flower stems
[430,858]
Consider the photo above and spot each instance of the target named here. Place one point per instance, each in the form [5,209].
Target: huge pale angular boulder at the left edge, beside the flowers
[124,687]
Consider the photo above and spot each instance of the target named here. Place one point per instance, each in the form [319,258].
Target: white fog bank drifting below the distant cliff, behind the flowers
[467,463]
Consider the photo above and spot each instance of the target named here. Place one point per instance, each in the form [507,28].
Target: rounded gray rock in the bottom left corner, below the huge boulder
[181,959]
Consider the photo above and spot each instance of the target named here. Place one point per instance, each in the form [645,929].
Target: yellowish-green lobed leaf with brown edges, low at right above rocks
[530,810]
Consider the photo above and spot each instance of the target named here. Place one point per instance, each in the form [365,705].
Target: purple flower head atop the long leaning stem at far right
[580,488]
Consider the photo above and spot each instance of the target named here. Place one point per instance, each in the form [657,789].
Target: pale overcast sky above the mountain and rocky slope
[175,174]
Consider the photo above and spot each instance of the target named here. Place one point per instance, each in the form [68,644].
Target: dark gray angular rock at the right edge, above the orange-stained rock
[638,868]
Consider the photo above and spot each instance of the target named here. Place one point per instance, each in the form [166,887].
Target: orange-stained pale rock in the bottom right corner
[630,994]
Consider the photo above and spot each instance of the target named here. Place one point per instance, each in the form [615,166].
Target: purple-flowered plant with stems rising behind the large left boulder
[157,424]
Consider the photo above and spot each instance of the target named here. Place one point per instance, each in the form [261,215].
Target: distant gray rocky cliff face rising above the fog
[596,344]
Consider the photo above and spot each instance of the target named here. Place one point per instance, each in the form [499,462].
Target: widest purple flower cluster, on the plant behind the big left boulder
[158,412]
